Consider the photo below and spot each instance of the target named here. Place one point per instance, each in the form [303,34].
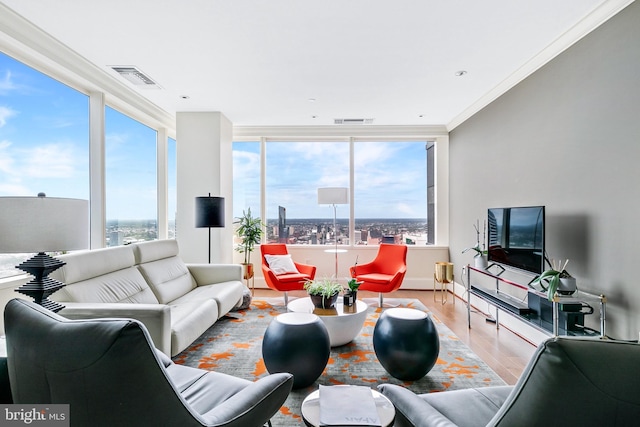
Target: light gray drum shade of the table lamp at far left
[43,224]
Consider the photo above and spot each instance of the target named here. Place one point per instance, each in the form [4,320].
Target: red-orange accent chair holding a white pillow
[286,281]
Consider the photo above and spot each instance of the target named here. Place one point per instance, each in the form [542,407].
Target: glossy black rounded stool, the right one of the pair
[406,343]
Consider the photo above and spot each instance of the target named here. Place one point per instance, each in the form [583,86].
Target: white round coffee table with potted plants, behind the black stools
[343,323]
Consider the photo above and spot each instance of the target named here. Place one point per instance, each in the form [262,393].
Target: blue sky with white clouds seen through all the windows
[44,133]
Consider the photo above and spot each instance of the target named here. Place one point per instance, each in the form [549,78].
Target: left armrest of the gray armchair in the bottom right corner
[412,408]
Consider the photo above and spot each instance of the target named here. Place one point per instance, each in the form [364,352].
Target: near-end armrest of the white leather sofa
[155,317]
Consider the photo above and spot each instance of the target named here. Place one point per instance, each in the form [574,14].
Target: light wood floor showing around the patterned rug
[505,352]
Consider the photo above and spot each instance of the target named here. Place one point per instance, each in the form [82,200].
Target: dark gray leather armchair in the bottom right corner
[568,382]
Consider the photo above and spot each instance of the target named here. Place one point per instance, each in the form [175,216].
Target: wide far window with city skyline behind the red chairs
[389,180]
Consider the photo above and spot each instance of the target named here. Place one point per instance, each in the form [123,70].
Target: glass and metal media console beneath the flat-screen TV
[562,316]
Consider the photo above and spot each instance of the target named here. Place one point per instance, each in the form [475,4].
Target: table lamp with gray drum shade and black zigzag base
[42,224]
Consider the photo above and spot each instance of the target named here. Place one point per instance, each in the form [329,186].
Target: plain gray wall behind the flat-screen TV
[567,137]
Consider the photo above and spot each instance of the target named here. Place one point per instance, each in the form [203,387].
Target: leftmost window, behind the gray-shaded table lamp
[44,140]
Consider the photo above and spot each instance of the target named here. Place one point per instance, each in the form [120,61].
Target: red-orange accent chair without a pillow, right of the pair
[385,273]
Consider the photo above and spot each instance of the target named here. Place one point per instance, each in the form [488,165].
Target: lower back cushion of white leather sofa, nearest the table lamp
[127,286]
